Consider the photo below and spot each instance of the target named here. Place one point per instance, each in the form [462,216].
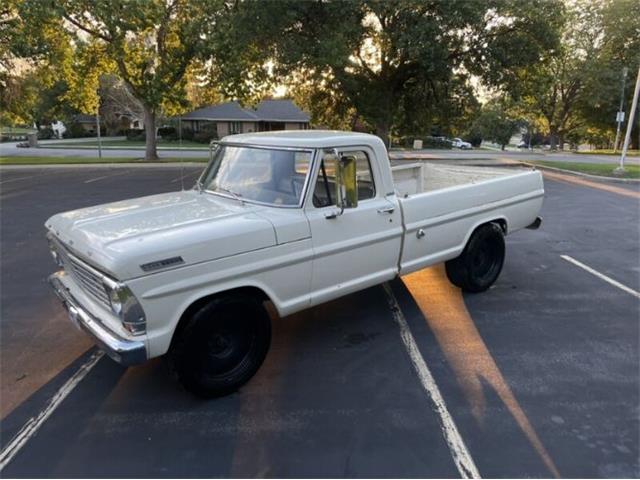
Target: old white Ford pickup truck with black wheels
[294,218]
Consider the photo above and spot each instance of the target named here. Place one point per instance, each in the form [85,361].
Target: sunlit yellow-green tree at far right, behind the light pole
[576,87]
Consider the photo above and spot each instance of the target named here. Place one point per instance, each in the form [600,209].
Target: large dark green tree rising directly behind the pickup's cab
[392,60]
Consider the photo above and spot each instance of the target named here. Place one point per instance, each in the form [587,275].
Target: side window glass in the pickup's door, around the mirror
[324,191]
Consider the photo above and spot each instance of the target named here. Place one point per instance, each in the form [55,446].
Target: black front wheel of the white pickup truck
[222,346]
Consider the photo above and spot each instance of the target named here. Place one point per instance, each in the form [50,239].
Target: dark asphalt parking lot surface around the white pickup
[540,375]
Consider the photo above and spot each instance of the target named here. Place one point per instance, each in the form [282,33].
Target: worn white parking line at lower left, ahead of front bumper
[33,425]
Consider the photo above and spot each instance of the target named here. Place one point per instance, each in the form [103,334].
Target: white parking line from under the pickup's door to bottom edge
[461,456]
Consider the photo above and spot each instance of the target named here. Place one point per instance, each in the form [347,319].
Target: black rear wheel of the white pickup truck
[480,263]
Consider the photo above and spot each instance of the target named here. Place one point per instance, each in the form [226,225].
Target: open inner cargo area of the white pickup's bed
[415,178]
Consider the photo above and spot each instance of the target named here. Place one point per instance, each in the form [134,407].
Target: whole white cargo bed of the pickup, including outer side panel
[443,204]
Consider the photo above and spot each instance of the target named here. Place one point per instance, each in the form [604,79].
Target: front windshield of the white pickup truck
[276,177]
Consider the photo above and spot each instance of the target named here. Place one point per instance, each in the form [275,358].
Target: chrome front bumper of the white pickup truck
[124,351]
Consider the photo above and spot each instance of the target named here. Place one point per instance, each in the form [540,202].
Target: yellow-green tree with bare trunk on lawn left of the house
[151,43]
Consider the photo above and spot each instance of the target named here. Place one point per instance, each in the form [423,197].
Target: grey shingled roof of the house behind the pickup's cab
[268,110]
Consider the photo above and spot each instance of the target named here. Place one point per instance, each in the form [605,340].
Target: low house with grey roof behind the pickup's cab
[229,118]
